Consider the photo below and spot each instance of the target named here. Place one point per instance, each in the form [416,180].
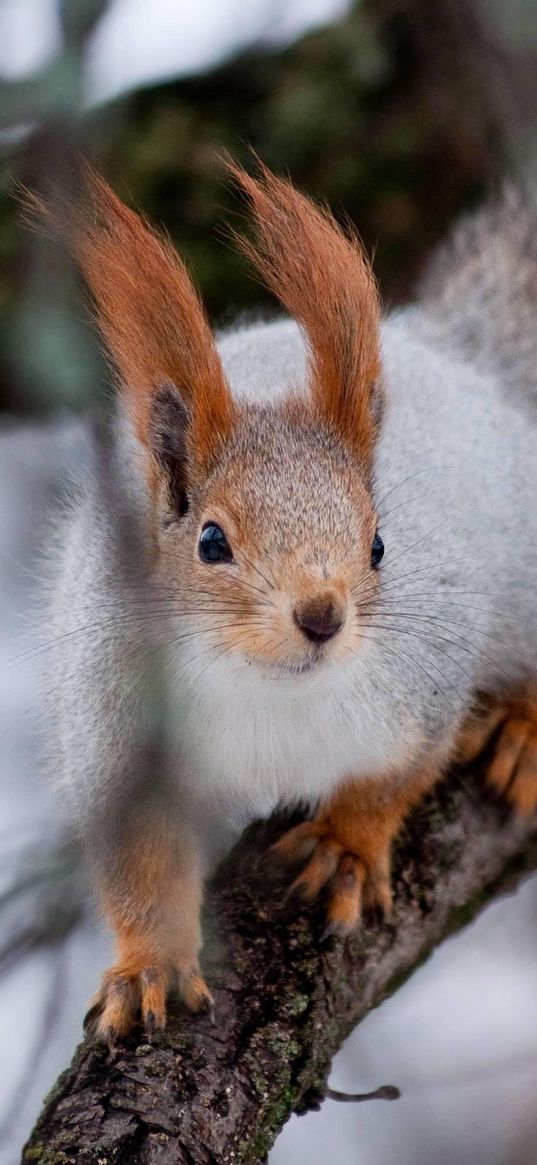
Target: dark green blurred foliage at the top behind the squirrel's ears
[385,116]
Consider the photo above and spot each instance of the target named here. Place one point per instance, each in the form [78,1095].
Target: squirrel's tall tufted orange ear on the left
[150,315]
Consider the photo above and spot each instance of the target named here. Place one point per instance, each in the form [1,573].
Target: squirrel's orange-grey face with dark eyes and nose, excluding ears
[279,549]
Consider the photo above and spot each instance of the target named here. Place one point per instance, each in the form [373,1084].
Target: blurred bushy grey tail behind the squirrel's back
[482,292]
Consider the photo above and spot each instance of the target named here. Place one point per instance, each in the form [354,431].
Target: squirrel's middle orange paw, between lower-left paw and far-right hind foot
[355,878]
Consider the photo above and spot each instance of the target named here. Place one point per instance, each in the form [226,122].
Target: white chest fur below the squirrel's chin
[252,740]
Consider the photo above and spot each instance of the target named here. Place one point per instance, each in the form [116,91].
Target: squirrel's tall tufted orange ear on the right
[323,278]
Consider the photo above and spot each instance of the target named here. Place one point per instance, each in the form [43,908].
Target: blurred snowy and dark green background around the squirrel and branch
[401,115]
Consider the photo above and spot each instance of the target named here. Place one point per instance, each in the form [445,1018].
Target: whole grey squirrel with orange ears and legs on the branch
[303,568]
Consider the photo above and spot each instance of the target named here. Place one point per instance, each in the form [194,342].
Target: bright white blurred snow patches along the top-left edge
[139,43]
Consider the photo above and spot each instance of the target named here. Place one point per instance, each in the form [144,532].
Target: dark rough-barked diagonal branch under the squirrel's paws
[220,1093]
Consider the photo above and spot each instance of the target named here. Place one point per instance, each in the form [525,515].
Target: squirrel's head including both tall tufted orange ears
[265,524]
